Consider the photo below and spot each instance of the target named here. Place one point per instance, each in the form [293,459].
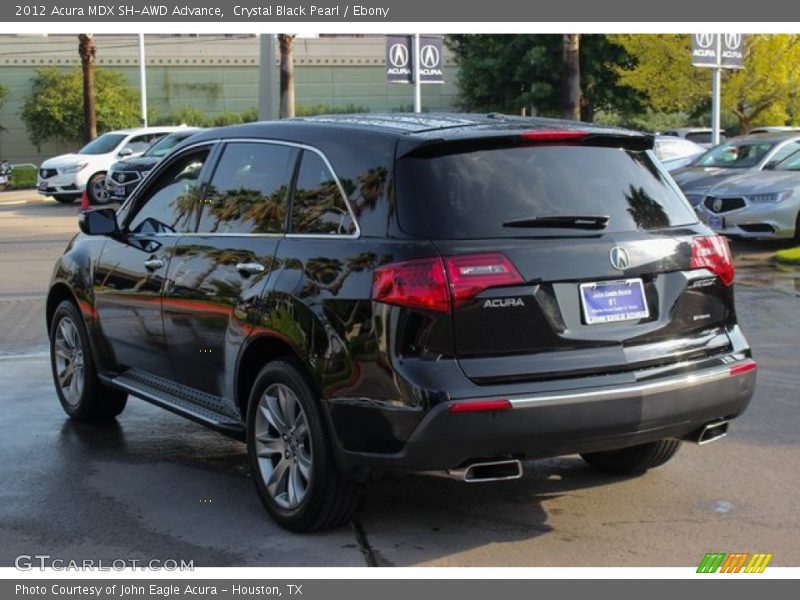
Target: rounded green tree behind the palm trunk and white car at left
[54,108]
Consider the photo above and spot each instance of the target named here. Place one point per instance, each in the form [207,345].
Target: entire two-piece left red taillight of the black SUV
[422,283]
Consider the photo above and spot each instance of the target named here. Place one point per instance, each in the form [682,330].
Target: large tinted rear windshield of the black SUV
[472,194]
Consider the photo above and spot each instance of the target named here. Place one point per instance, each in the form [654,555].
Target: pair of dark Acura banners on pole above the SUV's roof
[400,59]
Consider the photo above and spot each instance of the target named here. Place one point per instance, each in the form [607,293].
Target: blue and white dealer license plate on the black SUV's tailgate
[612,301]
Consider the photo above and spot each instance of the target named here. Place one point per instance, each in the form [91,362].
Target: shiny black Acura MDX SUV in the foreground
[360,294]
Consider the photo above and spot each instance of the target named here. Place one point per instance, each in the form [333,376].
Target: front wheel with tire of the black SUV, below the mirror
[81,394]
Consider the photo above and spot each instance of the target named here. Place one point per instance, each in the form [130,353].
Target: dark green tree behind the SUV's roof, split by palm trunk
[508,73]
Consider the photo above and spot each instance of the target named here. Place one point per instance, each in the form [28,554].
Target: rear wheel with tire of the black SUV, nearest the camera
[293,466]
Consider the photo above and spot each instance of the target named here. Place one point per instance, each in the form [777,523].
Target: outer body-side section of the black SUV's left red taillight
[417,283]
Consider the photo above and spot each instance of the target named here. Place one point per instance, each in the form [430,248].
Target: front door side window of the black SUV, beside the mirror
[175,200]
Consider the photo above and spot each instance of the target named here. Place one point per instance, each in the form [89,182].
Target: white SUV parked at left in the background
[65,177]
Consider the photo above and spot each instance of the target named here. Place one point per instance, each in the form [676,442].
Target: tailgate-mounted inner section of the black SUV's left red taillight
[471,274]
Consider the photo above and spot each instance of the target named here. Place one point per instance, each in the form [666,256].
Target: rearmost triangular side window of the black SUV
[317,204]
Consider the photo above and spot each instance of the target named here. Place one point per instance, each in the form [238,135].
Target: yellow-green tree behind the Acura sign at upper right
[763,93]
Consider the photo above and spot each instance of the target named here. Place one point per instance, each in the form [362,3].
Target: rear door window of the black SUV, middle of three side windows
[249,189]
